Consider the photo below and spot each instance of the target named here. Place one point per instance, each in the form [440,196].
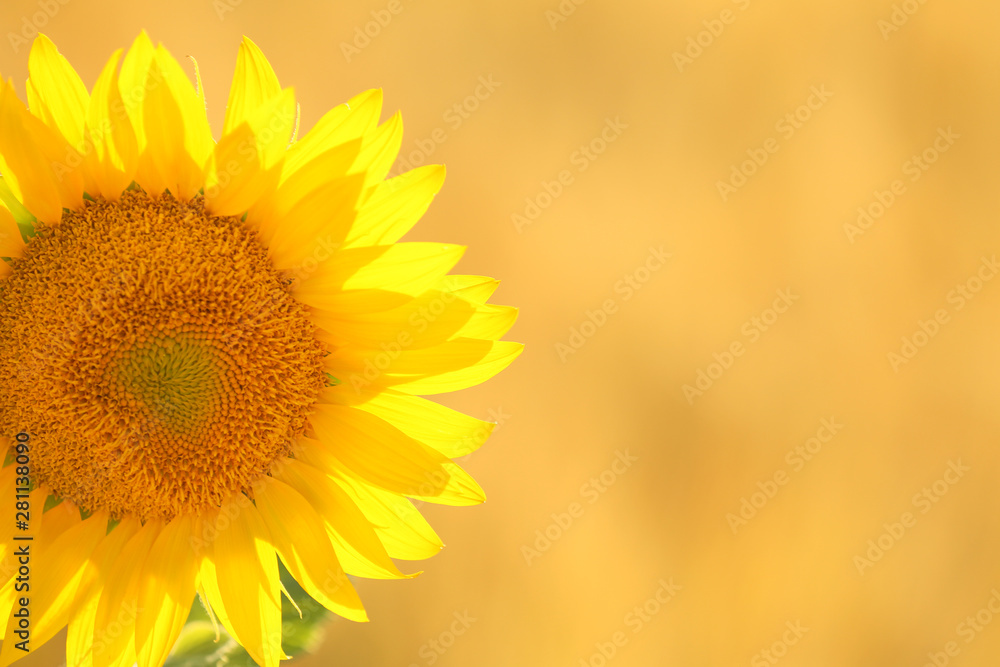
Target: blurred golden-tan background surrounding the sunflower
[684,94]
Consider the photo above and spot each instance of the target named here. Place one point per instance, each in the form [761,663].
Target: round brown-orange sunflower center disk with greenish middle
[159,359]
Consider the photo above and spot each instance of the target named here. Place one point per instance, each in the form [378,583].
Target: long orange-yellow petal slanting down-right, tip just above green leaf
[300,538]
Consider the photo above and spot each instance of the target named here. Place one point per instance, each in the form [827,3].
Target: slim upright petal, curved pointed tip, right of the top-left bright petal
[114,147]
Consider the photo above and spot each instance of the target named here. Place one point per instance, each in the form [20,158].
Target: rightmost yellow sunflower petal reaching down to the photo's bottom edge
[246,568]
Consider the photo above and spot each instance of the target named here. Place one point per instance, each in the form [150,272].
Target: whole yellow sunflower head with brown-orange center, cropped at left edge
[214,356]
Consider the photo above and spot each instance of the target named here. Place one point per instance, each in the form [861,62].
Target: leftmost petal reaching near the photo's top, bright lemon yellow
[60,92]
